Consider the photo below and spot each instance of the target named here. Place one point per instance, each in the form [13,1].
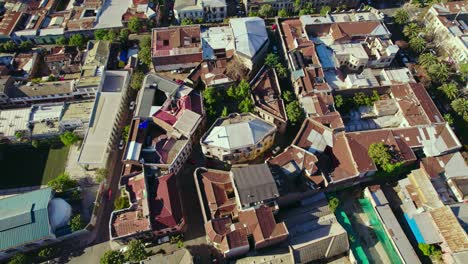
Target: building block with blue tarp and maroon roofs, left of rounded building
[168,120]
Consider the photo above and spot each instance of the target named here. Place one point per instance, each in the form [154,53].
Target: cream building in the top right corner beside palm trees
[449,21]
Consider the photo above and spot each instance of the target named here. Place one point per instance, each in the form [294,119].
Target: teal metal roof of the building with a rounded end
[24,218]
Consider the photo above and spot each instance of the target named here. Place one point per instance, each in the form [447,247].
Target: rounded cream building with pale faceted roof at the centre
[238,138]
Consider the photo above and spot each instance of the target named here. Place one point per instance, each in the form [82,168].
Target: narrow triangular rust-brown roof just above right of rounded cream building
[267,95]
